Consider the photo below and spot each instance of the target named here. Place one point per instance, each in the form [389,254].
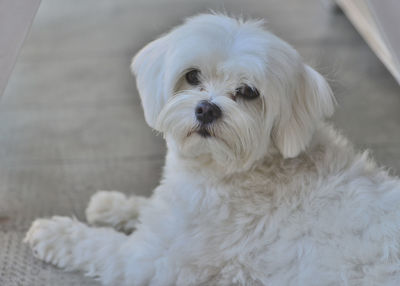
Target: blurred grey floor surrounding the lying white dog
[71,123]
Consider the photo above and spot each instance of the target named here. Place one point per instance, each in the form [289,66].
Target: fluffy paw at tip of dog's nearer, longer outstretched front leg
[52,239]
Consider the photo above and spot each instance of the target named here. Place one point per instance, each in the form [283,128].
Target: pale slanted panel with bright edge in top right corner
[378,22]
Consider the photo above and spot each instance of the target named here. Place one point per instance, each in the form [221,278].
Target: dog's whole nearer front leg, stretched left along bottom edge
[112,257]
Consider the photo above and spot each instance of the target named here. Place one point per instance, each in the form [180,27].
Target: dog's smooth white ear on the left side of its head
[149,67]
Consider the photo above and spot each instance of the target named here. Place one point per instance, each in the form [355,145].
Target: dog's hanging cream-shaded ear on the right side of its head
[311,102]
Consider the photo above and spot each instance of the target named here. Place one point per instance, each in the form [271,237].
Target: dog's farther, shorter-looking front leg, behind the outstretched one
[111,208]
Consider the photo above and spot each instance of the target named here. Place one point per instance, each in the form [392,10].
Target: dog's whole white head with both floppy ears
[229,90]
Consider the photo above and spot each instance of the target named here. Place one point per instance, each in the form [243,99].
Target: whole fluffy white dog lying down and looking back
[257,188]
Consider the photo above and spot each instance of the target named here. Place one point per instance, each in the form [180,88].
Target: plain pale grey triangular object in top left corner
[16,17]
